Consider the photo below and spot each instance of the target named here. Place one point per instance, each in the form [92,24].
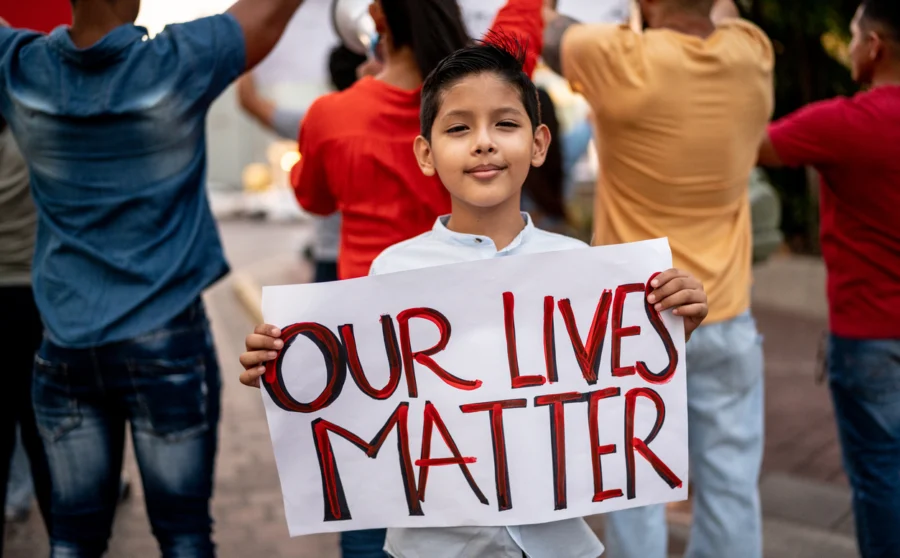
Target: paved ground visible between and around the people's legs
[805,498]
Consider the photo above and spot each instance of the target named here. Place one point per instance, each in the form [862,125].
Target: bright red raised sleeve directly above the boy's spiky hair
[524,21]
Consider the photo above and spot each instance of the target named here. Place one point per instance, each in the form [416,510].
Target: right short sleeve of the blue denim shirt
[211,53]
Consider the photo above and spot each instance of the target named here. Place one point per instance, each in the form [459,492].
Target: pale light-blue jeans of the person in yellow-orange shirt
[725,422]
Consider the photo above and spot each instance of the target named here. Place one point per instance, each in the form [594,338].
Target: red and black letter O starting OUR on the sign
[335,368]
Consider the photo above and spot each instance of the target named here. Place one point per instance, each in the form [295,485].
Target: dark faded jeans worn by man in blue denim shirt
[166,385]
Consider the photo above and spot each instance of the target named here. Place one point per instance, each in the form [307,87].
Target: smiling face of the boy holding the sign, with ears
[482,146]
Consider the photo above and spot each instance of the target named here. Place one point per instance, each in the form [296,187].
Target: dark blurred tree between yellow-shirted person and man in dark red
[810,39]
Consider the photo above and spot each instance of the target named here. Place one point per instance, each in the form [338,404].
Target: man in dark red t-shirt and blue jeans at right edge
[855,145]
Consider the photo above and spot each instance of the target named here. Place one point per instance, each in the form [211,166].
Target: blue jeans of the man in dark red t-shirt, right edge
[865,387]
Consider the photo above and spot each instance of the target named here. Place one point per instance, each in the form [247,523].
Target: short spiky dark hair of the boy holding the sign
[503,57]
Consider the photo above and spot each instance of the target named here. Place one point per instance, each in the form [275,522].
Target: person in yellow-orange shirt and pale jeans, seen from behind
[681,102]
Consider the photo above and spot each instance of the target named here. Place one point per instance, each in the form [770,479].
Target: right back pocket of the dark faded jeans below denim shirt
[170,397]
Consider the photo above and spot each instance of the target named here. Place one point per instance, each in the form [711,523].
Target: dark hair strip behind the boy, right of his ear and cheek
[544,184]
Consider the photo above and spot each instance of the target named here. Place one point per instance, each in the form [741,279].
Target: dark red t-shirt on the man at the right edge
[855,146]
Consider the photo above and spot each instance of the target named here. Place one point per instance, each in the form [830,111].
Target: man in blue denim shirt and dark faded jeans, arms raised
[112,125]
